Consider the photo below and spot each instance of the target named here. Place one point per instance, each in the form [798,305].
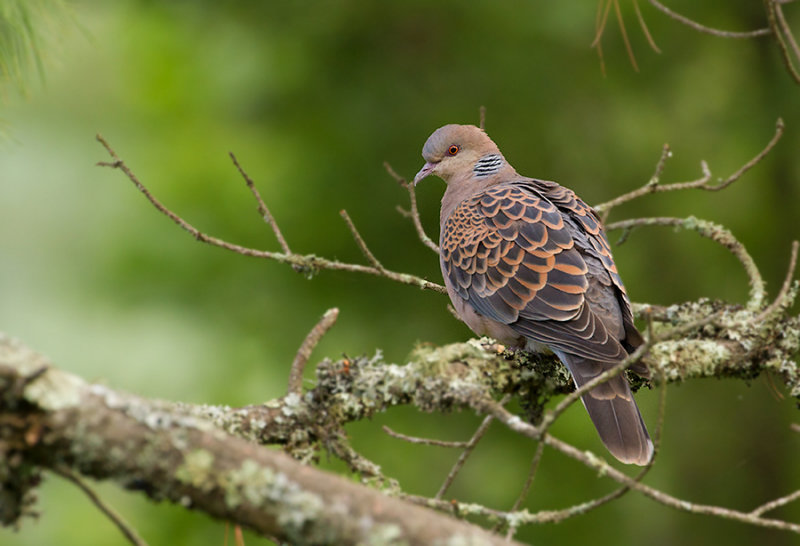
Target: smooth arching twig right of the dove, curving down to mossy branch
[716,233]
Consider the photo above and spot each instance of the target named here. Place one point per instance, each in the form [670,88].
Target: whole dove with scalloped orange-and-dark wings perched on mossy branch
[527,262]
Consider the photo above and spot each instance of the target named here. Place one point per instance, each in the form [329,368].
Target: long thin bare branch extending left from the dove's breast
[308,263]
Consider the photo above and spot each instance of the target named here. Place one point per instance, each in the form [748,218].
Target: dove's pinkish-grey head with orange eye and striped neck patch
[459,151]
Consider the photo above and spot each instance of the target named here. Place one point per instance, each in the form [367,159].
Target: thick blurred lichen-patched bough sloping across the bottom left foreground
[57,419]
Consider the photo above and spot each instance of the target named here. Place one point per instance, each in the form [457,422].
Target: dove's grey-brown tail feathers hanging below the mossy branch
[613,411]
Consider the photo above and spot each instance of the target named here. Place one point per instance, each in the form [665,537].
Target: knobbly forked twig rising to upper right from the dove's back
[653,185]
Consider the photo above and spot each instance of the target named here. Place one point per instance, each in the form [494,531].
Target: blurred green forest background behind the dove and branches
[313,97]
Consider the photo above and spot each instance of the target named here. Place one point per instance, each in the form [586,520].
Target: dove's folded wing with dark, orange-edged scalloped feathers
[512,255]
